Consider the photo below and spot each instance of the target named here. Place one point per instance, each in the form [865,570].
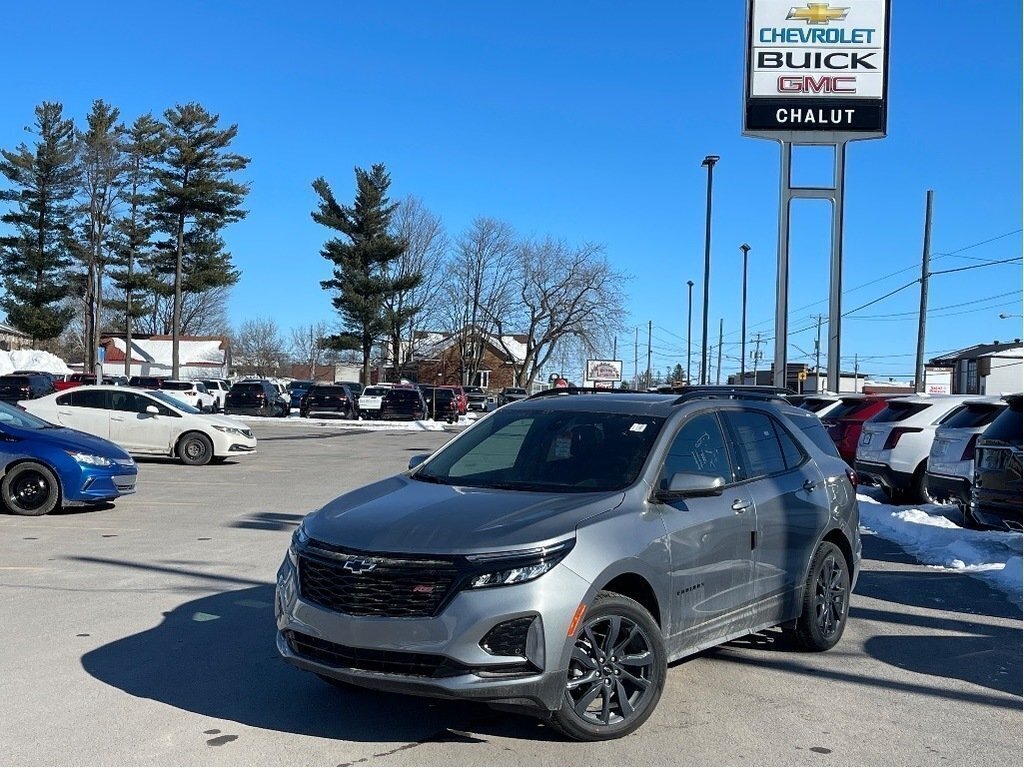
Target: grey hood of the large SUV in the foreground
[403,516]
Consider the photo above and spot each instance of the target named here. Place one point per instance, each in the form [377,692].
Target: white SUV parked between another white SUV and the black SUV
[951,463]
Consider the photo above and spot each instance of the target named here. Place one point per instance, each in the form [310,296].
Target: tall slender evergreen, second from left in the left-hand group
[103,167]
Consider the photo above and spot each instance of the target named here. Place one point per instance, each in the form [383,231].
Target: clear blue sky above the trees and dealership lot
[582,120]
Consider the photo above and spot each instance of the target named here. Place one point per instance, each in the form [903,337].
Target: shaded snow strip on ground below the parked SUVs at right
[930,533]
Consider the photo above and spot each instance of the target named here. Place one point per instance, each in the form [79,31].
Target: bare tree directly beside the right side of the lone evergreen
[428,244]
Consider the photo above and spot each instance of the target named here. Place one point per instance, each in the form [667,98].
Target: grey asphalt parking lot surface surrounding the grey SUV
[143,634]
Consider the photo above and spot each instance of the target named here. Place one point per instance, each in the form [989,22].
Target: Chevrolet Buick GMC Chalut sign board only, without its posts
[817,69]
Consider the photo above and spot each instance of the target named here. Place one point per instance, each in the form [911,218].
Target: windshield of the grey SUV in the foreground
[548,451]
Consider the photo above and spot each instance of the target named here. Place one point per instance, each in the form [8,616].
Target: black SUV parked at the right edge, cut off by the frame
[997,497]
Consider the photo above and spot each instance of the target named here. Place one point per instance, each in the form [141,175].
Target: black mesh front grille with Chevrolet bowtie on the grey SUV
[363,585]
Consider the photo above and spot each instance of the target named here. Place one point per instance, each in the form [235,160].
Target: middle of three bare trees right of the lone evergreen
[480,288]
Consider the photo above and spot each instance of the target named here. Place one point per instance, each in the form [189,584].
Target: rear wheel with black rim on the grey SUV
[827,602]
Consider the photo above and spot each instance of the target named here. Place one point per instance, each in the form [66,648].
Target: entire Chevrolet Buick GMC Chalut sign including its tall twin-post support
[817,74]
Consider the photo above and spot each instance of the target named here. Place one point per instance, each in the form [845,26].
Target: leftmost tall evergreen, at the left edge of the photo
[35,259]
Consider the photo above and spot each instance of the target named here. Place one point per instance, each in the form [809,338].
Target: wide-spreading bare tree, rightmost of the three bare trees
[561,293]
